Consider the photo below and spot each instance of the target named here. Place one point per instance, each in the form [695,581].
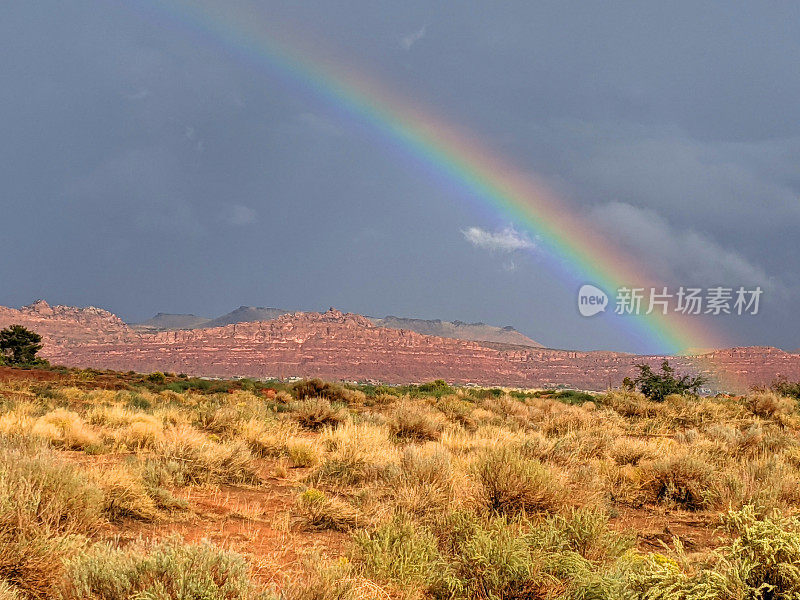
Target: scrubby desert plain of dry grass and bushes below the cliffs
[128,486]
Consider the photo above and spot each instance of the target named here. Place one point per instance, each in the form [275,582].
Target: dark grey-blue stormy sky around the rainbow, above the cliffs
[145,167]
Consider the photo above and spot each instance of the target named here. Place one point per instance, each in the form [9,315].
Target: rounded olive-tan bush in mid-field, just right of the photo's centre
[512,484]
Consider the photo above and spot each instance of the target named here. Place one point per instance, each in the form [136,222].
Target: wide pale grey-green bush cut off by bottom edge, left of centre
[168,570]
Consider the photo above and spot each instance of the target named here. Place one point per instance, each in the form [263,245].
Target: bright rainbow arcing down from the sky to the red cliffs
[579,254]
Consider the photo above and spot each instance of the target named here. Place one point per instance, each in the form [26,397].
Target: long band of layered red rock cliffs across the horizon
[334,345]
